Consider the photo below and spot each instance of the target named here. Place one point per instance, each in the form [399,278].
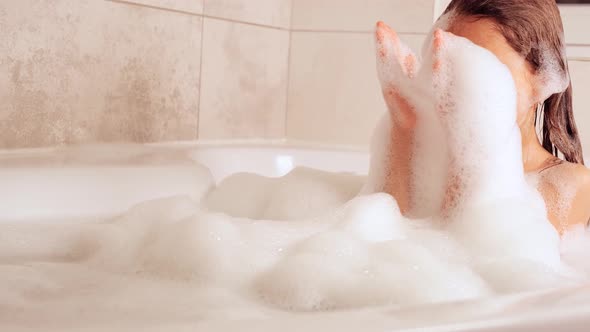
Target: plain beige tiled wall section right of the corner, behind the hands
[334,95]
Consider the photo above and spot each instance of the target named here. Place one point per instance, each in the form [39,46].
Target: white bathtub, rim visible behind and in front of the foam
[90,182]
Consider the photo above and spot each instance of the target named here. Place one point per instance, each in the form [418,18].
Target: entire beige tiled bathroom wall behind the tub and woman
[85,71]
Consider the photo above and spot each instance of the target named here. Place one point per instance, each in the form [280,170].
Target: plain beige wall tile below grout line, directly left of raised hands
[334,95]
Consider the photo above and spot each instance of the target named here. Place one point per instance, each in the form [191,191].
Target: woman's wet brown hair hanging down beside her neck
[527,24]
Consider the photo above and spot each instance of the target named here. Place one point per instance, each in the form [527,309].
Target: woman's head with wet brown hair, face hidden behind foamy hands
[527,36]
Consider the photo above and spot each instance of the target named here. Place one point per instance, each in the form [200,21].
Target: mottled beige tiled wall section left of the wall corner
[84,71]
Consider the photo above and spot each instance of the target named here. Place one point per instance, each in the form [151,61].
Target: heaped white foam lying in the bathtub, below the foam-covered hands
[181,261]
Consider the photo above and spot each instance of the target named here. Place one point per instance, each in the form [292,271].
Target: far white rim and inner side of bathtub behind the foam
[105,180]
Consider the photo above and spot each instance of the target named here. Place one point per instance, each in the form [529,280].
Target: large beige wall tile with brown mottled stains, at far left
[85,71]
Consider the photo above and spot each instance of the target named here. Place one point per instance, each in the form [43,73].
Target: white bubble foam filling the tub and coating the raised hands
[253,247]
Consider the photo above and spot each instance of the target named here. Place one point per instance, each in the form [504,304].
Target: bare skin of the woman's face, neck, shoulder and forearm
[564,187]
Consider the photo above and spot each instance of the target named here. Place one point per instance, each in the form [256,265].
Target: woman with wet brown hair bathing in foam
[527,36]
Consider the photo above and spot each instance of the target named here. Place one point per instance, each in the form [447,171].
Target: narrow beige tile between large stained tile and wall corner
[244,81]
